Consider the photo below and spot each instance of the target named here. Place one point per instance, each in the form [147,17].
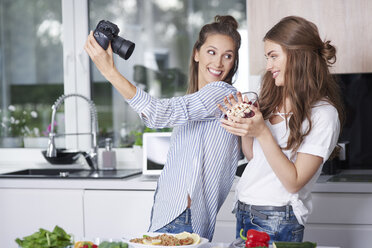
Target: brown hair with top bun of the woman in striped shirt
[226,25]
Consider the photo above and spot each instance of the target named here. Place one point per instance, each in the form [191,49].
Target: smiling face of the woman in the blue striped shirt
[215,59]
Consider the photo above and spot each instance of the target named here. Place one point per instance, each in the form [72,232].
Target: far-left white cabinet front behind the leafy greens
[24,211]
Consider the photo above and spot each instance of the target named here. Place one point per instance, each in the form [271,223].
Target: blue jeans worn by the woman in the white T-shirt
[280,225]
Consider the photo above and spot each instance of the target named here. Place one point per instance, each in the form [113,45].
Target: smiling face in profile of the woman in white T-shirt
[276,61]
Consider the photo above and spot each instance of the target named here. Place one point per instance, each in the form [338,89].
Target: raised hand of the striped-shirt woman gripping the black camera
[103,59]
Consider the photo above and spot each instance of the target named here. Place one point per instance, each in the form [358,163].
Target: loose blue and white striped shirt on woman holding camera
[202,157]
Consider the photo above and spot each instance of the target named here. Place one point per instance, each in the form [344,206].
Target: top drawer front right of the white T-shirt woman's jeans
[341,208]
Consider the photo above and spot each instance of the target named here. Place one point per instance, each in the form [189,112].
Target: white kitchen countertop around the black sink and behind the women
[138,183]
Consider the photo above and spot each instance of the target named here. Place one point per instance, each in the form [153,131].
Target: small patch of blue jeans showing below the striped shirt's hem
[180,224]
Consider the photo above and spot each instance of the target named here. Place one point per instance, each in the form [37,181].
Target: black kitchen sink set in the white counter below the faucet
[71,173]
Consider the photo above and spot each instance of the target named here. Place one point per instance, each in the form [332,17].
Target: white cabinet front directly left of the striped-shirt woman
[117,213]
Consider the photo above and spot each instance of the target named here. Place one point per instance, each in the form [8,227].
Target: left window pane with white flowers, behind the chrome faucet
[31,65]
